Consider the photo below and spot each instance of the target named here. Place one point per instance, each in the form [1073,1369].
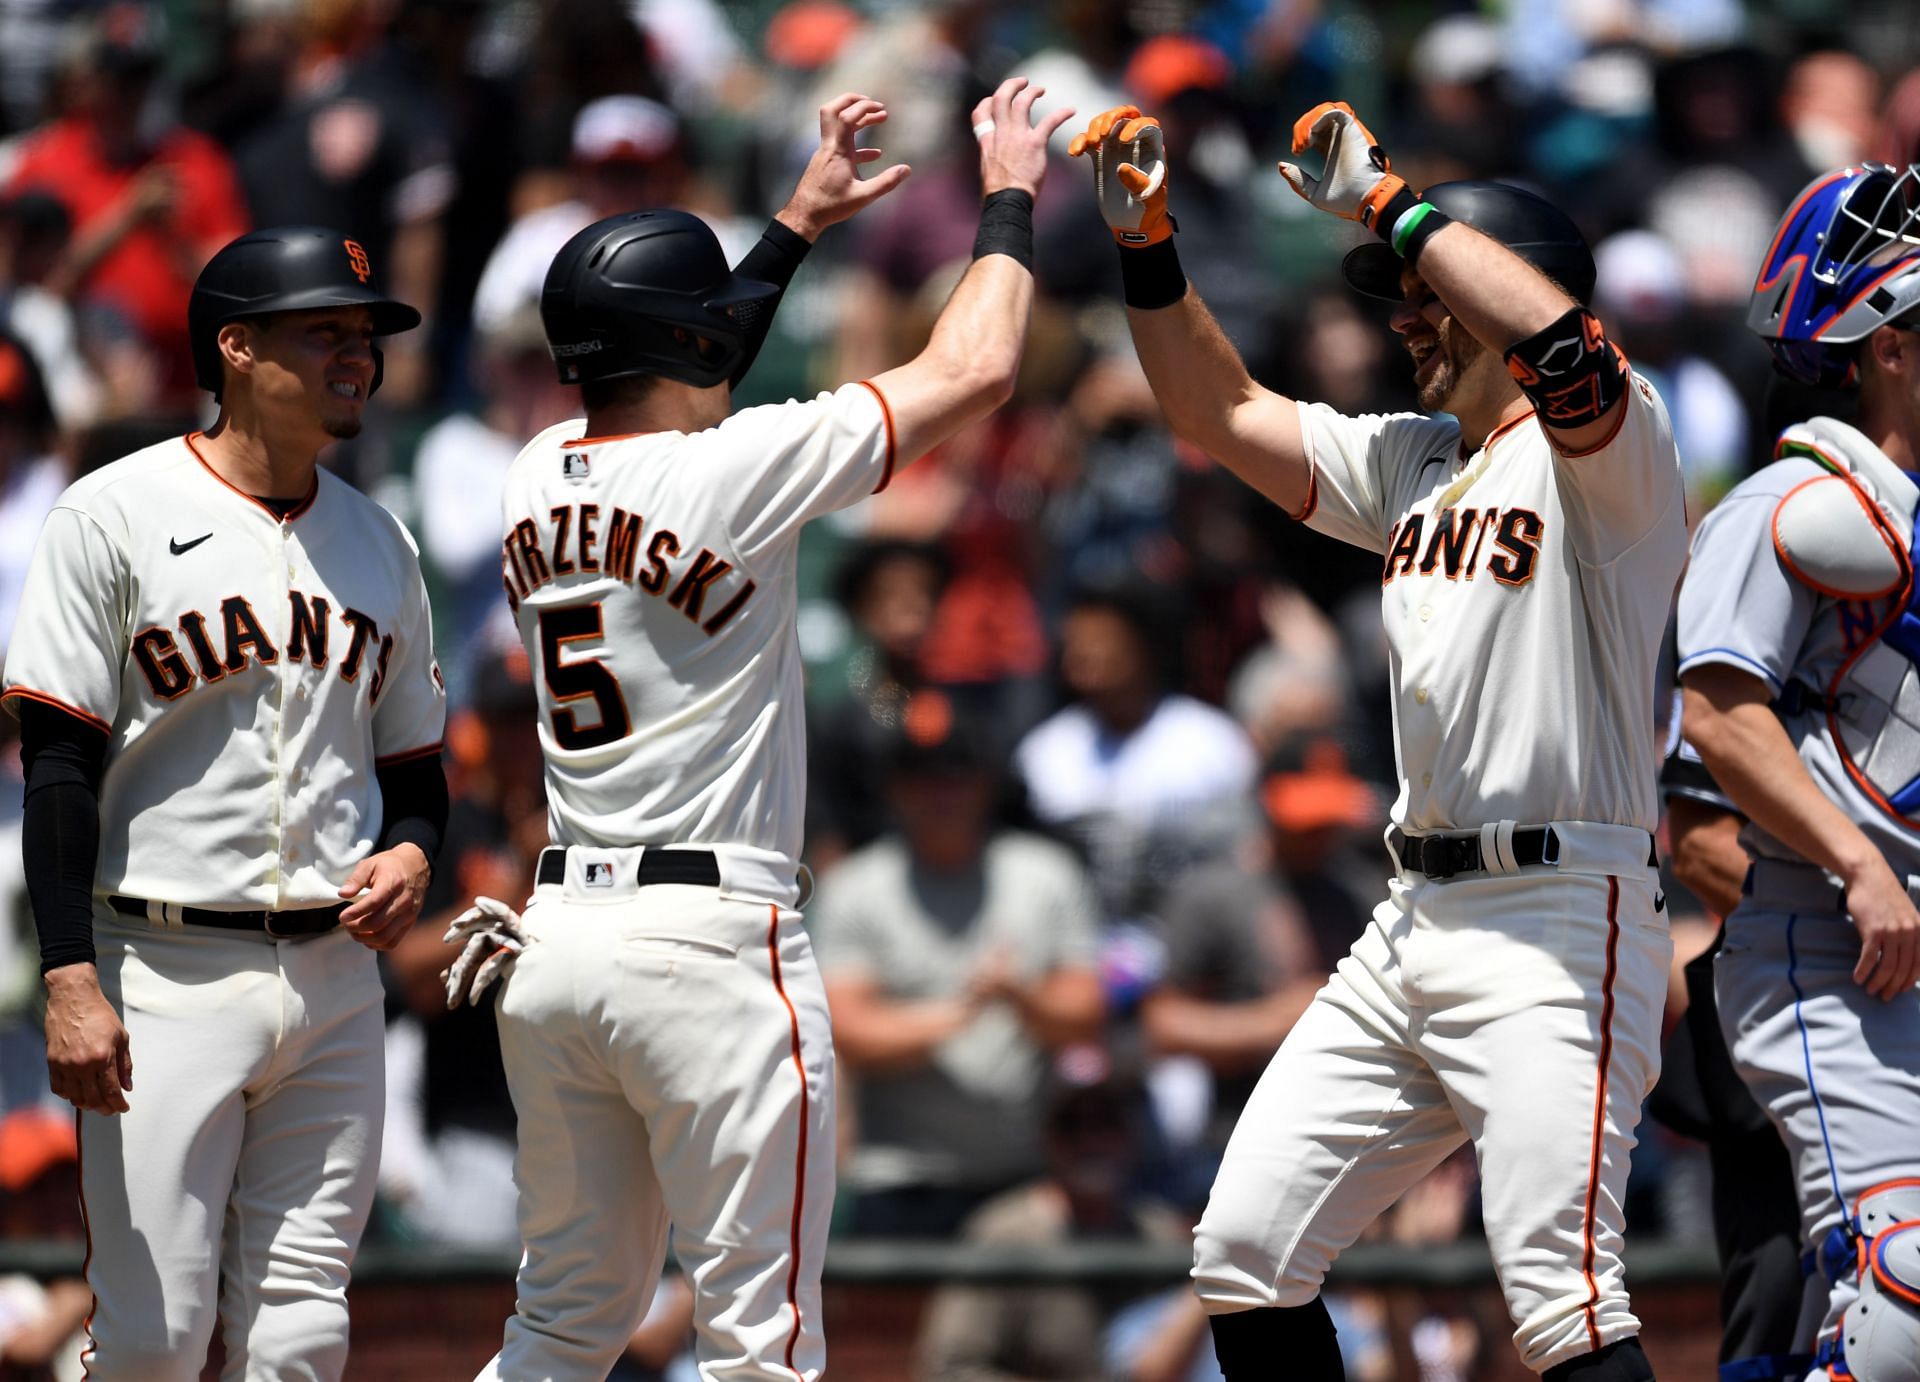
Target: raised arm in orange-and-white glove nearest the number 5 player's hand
[1197,375]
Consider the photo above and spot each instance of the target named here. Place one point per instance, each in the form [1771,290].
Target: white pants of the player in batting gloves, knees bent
[1522,1013]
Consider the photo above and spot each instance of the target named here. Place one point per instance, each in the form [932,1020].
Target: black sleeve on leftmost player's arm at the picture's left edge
[60,832]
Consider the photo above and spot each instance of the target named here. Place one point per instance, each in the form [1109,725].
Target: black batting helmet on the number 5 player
[648,293]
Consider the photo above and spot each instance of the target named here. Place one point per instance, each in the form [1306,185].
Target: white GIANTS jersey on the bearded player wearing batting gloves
[1525,617]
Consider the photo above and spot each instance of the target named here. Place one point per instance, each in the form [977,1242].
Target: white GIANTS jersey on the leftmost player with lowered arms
[251,673]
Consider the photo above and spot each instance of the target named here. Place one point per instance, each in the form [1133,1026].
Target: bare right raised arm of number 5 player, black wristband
[969,368]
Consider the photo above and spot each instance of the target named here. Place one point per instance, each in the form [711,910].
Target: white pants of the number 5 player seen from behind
[671,1064]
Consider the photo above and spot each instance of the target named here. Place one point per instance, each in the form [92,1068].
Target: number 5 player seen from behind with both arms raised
[665,1030]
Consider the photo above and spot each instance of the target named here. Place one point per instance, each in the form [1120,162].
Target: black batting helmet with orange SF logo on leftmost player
[285,270]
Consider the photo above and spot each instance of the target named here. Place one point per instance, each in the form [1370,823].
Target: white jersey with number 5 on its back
[654,583]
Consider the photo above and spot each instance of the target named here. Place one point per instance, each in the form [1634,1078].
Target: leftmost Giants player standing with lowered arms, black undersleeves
[231,723]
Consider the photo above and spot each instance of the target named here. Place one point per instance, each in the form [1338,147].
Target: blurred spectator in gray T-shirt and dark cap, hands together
[957,955]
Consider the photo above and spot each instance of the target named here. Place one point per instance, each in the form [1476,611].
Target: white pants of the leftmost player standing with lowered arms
[241,1176]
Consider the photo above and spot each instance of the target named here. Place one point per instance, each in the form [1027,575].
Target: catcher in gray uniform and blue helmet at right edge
[1798,644]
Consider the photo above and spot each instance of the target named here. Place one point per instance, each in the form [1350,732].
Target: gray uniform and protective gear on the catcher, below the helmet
[1836,1070]
